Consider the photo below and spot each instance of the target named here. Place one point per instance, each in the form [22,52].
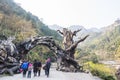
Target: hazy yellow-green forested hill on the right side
[106,43]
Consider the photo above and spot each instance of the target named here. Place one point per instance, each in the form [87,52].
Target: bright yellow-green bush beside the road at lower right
[101,71]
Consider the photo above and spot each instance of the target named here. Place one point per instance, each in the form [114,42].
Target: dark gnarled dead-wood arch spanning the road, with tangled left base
[11,54]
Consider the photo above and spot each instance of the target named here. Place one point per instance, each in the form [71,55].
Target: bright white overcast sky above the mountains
[88,13]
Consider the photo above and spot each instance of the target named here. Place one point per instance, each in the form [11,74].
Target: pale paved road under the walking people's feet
[54,75]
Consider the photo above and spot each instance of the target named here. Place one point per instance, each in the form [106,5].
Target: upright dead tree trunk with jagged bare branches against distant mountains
[69,44]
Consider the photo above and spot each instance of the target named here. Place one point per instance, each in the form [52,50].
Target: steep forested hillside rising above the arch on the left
[15,21]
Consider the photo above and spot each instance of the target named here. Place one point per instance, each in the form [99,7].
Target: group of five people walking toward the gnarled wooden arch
[27,67]
